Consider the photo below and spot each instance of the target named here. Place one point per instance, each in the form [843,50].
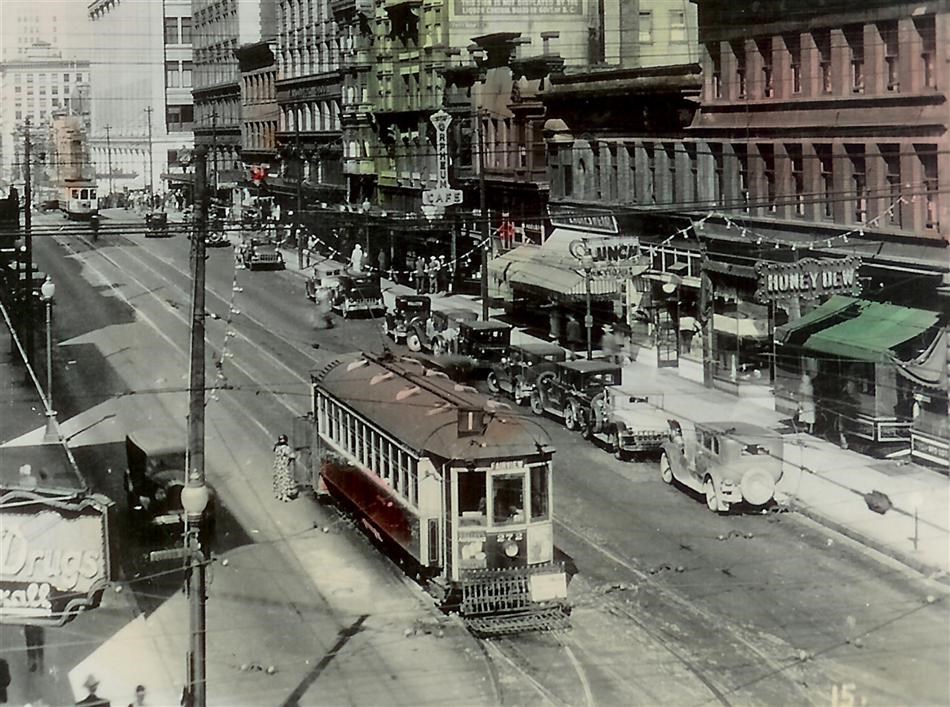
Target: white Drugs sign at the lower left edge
[54,561]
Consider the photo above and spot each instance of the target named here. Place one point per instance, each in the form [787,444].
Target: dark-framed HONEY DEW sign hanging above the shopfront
[807,279]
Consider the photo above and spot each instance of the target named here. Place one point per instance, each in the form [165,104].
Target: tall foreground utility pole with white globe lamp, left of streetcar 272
[195,496]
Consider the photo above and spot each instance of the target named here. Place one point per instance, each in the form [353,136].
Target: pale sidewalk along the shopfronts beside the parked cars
[820,481]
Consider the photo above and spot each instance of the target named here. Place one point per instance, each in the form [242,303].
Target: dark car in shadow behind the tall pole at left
[154,479]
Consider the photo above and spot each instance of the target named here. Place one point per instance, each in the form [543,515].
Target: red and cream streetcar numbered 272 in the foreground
[456,485]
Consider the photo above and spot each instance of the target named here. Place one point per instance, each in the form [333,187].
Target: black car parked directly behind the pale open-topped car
[569,390]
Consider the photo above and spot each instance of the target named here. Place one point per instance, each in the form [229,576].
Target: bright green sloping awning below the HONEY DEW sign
[873,333]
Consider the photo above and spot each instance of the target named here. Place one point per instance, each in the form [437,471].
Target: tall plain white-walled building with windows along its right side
[142,73]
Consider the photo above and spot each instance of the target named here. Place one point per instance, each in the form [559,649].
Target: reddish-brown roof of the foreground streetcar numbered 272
[422,410]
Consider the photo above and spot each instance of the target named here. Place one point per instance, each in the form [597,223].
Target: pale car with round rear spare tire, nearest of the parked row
[728,462]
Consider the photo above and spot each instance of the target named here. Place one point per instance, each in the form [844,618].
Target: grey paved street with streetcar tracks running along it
[673,604]
